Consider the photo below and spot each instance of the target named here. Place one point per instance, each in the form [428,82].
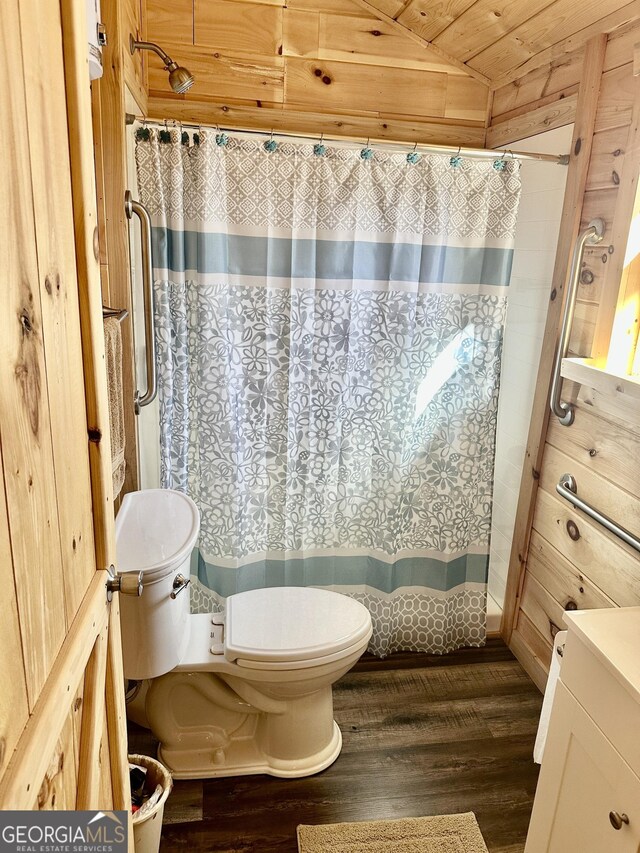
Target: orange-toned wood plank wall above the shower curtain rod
[310,68]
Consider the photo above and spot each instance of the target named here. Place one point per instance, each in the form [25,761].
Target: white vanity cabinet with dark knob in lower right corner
[588,795]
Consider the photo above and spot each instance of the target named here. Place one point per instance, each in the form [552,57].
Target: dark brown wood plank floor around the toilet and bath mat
[422,735]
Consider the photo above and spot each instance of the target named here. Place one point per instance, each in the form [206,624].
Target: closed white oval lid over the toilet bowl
[292,624]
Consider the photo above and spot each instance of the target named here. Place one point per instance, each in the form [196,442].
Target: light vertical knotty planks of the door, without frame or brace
[46,544]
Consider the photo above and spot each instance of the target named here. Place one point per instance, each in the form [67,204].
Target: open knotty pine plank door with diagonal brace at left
[52,554]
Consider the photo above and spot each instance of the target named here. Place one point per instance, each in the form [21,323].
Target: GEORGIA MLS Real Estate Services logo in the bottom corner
[63,832]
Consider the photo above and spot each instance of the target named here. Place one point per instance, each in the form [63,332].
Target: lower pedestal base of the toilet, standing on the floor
[218,724]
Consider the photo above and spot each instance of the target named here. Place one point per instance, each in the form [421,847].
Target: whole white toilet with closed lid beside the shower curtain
[234,693]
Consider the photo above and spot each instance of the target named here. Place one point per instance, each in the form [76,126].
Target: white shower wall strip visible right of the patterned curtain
[536,238]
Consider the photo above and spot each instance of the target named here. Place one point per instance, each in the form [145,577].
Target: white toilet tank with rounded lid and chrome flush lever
[156,530]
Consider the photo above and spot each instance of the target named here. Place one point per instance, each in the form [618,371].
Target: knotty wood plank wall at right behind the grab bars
[561,560]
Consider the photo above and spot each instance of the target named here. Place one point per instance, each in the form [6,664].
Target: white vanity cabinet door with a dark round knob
[583,780]
